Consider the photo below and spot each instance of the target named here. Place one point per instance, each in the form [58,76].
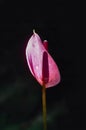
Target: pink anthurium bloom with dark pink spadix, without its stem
[40,62]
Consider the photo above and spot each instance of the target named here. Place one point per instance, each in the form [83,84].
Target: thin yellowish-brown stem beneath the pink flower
[44,107]
